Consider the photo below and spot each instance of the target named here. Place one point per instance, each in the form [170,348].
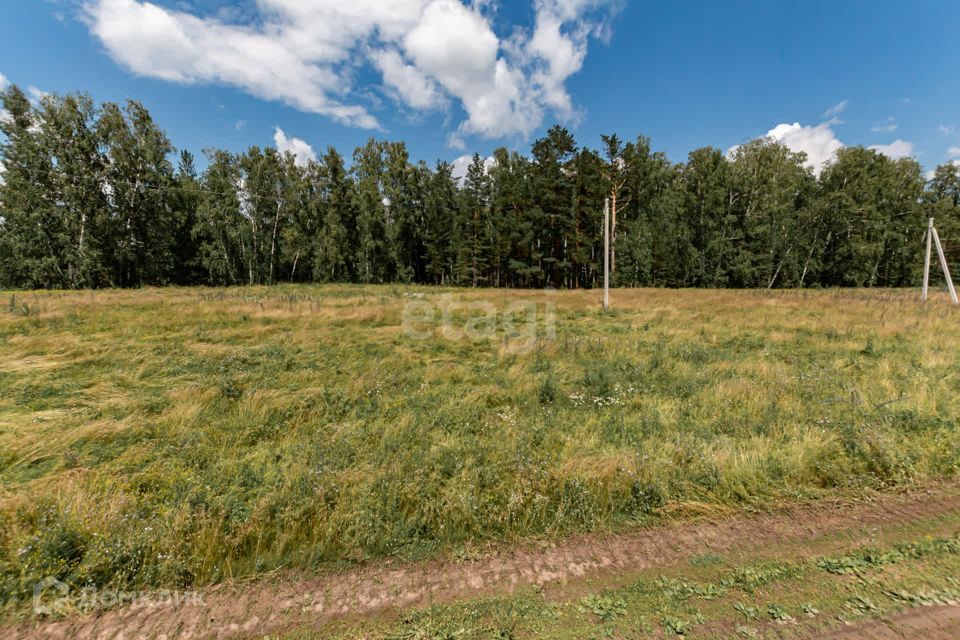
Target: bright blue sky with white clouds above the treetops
[451,77]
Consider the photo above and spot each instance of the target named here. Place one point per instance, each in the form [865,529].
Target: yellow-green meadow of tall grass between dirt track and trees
[180,437]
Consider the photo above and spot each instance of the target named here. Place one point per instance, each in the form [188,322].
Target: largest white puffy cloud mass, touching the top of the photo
[428,53]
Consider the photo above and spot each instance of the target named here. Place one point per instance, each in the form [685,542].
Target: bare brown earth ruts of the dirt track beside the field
[269,607]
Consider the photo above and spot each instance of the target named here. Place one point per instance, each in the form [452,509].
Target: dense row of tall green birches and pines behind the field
[97,196]
